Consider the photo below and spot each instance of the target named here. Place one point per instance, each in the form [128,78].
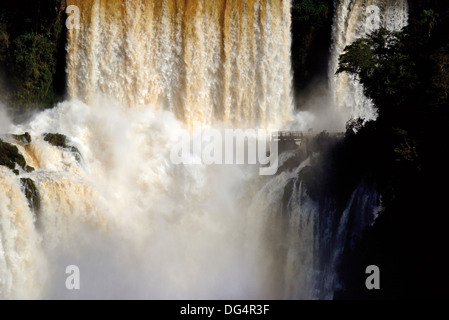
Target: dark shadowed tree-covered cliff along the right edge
[406,74]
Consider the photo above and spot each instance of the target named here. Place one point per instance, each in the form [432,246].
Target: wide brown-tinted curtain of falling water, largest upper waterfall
[207,61]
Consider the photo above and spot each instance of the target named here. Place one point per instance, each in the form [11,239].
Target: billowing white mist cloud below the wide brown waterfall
[140,227]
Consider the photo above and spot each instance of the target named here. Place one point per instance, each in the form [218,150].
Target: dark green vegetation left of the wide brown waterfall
[32,53]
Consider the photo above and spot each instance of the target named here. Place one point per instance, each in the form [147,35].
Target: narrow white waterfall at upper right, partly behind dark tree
[355,19]
